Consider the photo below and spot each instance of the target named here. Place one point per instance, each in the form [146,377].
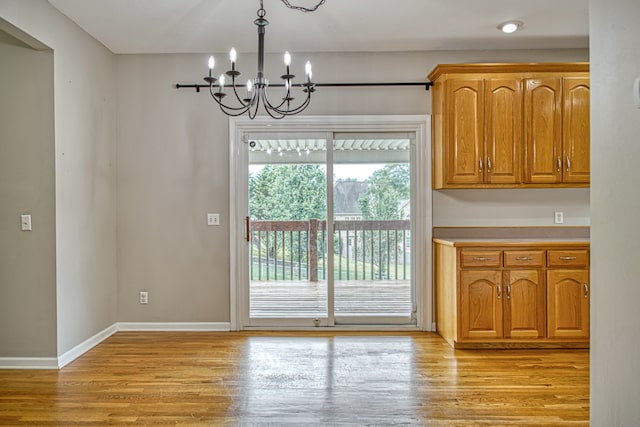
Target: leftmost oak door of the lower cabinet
[480,304]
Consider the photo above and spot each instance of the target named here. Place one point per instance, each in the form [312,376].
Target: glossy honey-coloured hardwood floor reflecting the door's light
[212,379]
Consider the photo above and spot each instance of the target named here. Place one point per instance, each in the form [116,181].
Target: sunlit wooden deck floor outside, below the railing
[291,299]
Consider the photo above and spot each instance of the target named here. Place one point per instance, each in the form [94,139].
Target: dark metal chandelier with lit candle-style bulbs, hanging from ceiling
[256,89]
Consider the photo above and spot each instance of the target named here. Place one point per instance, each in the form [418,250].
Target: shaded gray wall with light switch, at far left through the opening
[27,186]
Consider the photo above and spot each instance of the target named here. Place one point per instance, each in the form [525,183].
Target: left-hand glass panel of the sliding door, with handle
[288,230]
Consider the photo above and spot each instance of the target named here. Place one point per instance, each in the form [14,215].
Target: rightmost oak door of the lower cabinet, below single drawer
[568,303]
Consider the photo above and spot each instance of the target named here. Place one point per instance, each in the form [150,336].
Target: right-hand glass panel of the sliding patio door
[372,228]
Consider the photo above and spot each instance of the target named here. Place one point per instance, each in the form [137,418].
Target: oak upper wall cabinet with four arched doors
[510,125]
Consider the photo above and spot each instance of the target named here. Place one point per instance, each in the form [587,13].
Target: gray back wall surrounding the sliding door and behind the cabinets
[173,169]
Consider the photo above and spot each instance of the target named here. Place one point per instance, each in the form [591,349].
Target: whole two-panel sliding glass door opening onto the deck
[327,228]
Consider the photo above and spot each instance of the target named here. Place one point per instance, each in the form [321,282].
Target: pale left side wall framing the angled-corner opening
[85,133]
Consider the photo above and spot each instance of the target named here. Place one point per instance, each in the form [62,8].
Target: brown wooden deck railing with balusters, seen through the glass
[363,250]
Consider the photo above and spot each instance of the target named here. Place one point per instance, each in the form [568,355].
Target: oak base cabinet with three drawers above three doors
[512,296]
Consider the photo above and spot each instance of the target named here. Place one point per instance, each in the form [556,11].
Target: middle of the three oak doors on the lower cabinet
[524,304]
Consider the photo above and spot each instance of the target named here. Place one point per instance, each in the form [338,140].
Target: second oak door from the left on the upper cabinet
[503,131]
